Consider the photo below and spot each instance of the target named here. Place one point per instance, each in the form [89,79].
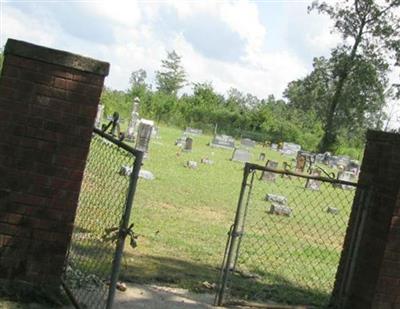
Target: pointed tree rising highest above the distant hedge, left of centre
[173,76]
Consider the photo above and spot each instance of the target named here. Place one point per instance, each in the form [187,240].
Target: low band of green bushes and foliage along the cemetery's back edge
[239,115]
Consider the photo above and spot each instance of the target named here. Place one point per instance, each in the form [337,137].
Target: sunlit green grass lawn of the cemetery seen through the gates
[184,215]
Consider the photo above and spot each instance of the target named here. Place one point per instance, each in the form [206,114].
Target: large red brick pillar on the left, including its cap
[48,104]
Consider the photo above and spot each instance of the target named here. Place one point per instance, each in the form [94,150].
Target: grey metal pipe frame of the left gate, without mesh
[124,228]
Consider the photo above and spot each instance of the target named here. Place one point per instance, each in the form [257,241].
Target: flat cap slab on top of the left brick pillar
[57,57]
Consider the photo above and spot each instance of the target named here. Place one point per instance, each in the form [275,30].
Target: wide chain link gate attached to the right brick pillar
[285,243]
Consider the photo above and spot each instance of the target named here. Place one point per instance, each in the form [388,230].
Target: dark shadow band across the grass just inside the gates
[200,278]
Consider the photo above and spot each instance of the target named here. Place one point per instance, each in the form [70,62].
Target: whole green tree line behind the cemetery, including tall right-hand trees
[328,110]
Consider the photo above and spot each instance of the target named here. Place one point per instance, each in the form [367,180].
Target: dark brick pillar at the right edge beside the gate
[376,277]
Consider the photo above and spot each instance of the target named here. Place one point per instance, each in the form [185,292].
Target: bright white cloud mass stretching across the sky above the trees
[137,43]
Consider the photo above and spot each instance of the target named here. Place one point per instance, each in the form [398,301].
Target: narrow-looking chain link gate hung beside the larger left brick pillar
[102,222]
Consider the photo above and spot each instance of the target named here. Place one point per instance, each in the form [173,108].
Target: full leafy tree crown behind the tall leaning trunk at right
[362,100]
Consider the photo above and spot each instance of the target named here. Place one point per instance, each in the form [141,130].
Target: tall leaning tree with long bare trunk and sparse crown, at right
[369,30]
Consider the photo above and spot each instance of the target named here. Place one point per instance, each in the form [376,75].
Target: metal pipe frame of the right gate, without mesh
[232,248]
